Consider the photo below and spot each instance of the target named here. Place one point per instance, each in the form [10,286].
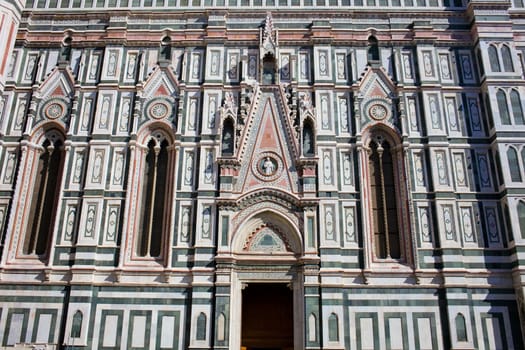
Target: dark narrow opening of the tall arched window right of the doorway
[383,181]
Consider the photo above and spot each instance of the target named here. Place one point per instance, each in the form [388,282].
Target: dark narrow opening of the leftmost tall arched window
[45,195]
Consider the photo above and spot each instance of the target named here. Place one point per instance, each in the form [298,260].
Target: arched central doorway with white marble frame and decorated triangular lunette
[267,284]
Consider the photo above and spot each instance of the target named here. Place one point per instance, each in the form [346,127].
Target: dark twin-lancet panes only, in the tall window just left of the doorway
[149,240]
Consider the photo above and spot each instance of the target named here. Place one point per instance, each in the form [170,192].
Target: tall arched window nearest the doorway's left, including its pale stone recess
[148,205]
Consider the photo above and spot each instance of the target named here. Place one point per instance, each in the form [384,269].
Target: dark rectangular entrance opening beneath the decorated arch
[267,317]
